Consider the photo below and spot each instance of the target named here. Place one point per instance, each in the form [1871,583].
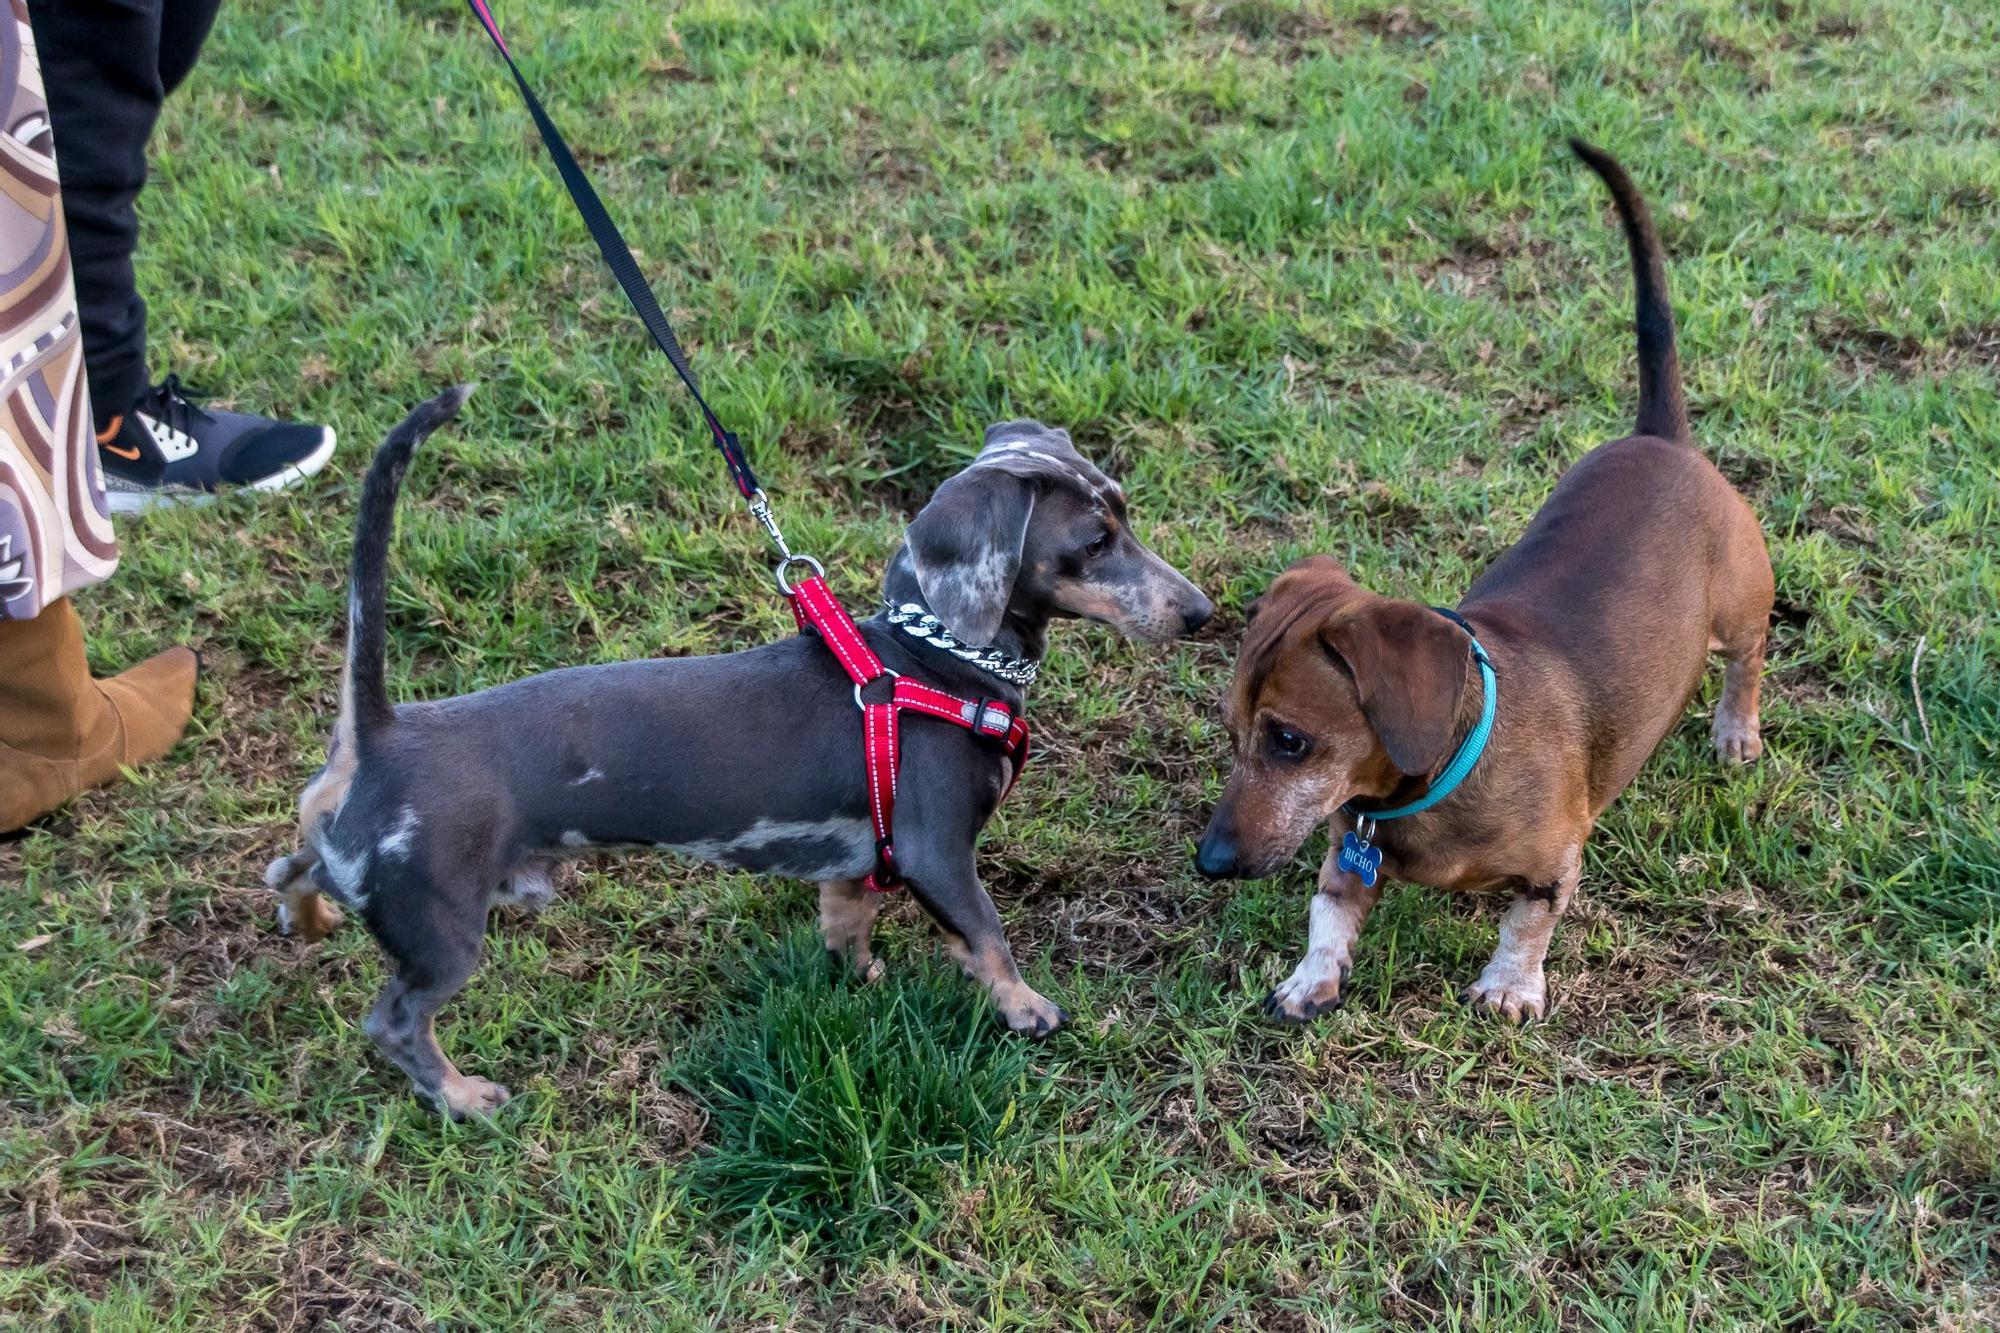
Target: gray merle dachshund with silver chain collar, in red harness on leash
[431,814]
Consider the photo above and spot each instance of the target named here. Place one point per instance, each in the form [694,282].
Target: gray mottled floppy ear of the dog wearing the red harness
[967,549]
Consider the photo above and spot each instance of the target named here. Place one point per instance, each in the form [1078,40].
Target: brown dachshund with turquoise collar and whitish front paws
[1599,625]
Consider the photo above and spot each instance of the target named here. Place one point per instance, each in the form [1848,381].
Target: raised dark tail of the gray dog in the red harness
[365,704]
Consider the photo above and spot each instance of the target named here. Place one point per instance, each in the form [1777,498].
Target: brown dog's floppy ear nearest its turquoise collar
[1409,668]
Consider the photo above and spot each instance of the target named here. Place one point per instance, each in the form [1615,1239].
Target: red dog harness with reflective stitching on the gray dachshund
[991,720]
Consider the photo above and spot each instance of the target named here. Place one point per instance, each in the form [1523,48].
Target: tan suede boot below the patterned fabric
[61,732]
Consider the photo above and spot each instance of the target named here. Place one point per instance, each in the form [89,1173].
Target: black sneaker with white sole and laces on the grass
[169,451]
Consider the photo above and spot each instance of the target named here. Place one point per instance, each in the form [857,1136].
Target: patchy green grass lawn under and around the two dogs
[1307,277]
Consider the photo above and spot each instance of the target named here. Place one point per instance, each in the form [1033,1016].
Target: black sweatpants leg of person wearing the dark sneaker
[109,67]
